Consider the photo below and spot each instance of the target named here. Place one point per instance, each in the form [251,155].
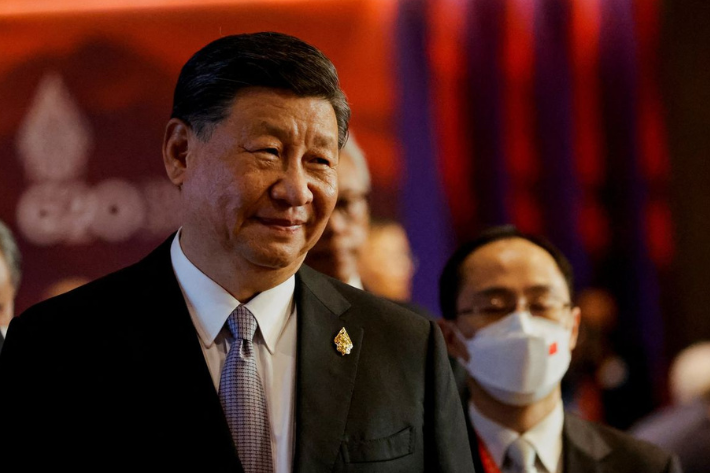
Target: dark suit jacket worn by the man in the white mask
[590,448]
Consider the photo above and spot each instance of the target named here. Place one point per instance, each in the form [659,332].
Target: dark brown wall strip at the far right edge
[685,53]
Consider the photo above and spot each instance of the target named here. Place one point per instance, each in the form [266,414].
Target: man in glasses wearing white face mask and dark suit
[510,321]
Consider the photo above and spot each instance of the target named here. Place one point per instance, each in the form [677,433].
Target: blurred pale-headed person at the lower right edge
[684,426]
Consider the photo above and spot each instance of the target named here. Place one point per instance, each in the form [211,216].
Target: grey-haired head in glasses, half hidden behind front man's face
[339,248]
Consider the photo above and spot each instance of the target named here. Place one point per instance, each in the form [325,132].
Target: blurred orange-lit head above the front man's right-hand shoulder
[386,264]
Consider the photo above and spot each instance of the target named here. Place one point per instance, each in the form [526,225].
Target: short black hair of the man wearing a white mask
[451,277]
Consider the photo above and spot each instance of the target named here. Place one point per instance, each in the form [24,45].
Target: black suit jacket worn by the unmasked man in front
[111,376]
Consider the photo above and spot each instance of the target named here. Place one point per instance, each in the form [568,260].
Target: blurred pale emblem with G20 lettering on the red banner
[59,207]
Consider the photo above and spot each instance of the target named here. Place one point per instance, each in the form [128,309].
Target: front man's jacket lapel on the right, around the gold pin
[325,379]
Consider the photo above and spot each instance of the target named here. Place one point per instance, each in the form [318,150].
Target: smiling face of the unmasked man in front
[260,190]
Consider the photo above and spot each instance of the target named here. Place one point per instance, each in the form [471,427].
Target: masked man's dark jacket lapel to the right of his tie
[584,449]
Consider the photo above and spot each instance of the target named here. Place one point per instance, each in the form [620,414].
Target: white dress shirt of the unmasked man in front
[275,342]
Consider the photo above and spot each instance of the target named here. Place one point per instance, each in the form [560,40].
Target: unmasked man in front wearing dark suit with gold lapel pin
[219,351]
